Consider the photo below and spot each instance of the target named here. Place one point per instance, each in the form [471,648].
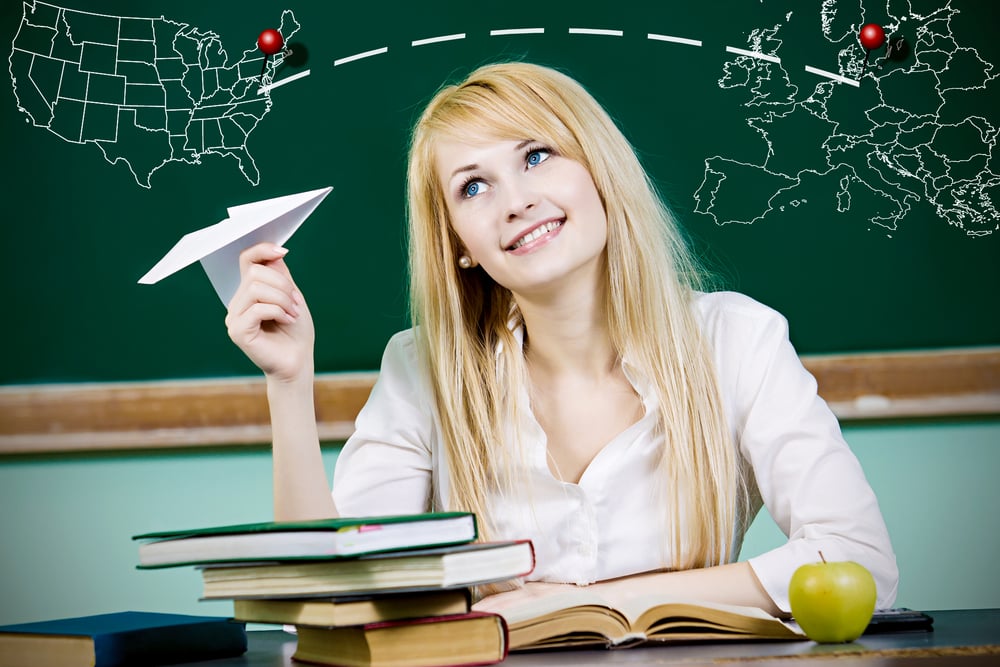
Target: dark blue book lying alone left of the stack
[129,638]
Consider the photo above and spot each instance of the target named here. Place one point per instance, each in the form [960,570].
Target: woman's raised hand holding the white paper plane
[268,318]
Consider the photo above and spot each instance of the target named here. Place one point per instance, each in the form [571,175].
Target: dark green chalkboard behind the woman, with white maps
[867,214]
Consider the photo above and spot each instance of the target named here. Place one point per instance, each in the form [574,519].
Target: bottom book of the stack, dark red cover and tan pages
[463,639]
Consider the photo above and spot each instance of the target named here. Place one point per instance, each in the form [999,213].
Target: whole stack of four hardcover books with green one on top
[366,591]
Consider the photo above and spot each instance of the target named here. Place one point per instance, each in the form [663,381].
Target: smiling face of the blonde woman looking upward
[530,217]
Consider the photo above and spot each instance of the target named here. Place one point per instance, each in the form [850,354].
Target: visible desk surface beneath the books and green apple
[961,638]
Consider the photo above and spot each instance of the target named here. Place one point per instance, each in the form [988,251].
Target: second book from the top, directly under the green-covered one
[456,566]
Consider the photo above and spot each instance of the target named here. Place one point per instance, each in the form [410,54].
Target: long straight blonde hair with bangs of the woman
[462,316]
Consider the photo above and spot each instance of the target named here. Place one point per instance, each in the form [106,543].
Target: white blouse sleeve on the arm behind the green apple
[809,479]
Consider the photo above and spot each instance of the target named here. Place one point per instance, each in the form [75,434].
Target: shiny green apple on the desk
[832,601]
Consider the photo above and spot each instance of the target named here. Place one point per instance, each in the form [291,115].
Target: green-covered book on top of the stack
[290,540]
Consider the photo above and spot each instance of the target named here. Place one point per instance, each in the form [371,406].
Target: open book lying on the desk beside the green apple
[581,617]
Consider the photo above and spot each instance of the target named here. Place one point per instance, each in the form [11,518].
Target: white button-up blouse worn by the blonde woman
[608,525]
